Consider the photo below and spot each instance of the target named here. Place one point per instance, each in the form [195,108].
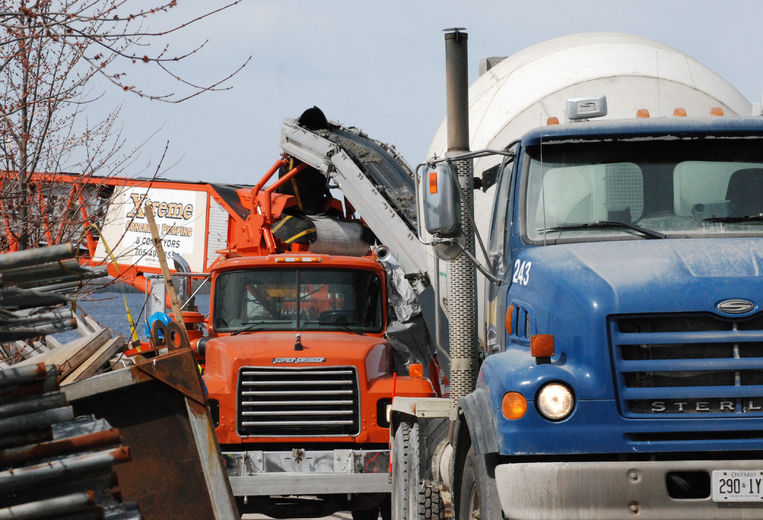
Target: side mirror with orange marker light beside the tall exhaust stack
[442,211]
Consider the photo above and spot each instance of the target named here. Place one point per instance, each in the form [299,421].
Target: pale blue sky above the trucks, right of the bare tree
[380,66]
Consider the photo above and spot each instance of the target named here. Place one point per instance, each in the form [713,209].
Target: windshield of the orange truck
[298,299]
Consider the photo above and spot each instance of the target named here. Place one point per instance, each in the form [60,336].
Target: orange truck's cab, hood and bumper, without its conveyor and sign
[297,363]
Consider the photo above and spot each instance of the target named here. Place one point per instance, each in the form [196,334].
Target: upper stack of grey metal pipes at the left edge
[33,283]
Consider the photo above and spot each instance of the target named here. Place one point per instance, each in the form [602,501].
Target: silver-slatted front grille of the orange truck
[302,402]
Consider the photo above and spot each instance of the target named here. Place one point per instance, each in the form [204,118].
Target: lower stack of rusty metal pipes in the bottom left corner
[53,465]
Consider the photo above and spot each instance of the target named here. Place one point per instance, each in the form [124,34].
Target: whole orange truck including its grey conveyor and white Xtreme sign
[299,358]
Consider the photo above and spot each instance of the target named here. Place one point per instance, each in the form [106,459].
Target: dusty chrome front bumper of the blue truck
[612,491]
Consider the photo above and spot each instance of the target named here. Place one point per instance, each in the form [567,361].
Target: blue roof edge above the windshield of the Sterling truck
[627,129]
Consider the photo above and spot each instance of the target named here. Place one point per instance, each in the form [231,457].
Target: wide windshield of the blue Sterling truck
[643,189]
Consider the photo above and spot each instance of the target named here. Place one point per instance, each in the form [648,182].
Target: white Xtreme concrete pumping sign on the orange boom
[181,217]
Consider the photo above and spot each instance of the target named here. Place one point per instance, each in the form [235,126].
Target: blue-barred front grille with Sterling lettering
[693,365]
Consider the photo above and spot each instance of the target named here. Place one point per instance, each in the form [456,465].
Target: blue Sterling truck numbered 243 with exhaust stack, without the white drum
[622,372]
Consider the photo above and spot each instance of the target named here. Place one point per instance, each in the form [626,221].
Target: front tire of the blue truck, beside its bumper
[477,494]
